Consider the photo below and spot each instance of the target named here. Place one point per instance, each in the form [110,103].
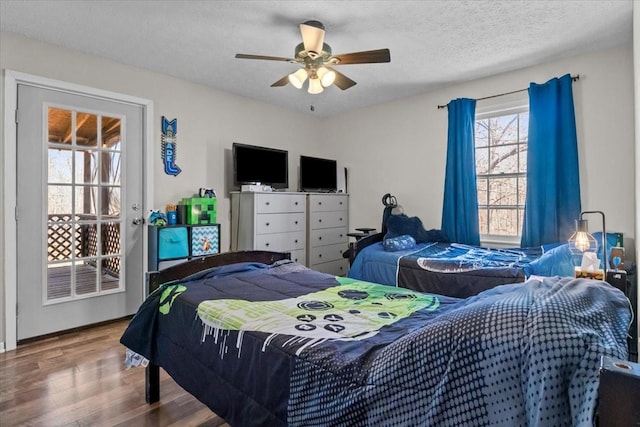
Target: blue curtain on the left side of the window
[460,207]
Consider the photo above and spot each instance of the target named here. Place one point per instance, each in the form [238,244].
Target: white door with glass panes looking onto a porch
[79,210]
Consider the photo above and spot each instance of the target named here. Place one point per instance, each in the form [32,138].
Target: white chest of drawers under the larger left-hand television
[270,221]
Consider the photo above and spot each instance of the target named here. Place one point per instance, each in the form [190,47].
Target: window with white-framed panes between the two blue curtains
[501,166]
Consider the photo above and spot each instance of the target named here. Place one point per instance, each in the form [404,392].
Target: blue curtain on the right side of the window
[553,182]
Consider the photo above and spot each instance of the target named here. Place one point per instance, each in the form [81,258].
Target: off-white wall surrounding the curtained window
[400,147]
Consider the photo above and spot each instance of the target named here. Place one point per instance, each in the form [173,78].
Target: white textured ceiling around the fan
[433,43]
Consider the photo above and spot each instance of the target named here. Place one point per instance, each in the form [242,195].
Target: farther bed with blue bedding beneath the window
[405,254]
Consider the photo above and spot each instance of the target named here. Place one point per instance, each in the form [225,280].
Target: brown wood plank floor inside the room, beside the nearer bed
[79,379]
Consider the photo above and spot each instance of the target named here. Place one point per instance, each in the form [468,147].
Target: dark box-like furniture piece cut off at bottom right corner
[619,393]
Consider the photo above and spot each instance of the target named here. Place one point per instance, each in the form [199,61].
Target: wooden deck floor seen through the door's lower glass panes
[59,281]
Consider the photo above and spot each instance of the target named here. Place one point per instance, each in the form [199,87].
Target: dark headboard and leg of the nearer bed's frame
[155,278]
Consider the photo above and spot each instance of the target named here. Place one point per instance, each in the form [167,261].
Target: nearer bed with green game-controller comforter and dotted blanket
[262,340]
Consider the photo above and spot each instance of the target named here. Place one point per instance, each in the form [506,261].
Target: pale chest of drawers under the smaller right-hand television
[327,228]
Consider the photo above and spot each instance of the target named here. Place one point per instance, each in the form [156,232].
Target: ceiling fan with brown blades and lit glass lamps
[317,61]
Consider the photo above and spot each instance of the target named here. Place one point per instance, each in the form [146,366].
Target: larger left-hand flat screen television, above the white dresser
[253,164]
